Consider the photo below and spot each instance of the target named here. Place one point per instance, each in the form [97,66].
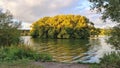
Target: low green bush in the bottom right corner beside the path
[109,61]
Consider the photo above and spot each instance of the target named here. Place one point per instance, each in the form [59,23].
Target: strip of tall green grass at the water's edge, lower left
[13,53]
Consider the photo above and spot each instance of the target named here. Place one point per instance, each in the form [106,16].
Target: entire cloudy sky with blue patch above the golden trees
[29,11]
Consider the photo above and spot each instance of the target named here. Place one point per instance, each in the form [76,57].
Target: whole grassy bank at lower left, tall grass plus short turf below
[21,55]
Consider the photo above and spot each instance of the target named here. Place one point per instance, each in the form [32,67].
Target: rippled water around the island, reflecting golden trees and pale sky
[71,50]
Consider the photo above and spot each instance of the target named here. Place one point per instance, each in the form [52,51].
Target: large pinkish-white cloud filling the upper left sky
[31,10]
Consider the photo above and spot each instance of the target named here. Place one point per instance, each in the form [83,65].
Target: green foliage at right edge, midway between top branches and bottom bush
[115,37]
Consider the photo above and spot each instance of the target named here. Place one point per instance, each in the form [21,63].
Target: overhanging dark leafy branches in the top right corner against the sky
[109,8]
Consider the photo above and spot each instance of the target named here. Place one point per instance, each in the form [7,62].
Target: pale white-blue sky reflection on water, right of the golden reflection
[97,50]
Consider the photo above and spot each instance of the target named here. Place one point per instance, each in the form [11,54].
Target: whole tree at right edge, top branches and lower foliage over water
[110,10]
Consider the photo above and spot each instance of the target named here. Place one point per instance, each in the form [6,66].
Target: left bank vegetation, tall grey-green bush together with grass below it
[11,48]
